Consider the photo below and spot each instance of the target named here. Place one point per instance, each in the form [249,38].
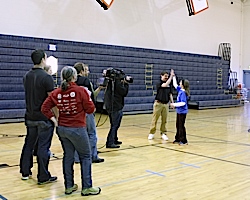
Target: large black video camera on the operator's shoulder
[115,74]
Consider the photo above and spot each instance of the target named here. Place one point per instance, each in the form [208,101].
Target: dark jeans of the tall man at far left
[40,132]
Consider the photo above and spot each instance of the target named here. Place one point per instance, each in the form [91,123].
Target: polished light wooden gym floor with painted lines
[215,164]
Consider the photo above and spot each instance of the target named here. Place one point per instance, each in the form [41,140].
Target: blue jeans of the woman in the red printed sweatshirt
[75,139]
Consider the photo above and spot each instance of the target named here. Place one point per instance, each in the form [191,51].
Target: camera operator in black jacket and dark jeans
[117,89]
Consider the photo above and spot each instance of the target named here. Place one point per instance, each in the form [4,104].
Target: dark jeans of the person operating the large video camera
[115,119]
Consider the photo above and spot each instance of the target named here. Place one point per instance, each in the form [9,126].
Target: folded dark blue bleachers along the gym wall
[200,70]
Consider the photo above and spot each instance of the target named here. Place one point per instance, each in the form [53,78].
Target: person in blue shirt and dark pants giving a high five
[181,109]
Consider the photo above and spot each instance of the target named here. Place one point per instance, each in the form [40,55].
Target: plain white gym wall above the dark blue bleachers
[154,24]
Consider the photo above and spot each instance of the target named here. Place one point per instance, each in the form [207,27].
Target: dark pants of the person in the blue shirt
[180,127]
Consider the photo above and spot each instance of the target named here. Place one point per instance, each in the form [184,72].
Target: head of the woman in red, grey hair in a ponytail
[68,74]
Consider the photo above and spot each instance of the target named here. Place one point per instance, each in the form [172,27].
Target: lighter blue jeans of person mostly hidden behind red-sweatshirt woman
[91,129]
